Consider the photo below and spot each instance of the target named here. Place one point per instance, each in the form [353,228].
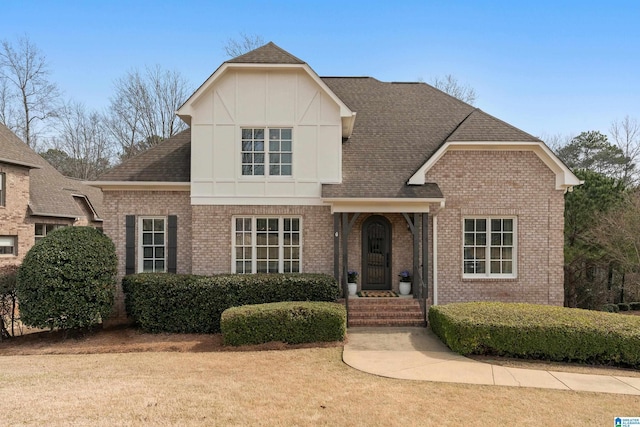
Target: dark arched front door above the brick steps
[376,253]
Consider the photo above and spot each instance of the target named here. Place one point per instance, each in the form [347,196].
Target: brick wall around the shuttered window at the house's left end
[118,204]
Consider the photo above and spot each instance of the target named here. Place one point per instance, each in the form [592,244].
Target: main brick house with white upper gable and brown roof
[285,171]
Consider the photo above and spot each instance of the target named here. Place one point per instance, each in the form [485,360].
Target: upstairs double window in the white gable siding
[271,157]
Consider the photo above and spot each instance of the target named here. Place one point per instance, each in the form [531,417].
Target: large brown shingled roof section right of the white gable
[399,126]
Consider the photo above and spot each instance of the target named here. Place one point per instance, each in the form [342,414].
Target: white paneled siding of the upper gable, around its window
[264,98]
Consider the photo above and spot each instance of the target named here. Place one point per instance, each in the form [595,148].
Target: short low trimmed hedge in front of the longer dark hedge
[289,322]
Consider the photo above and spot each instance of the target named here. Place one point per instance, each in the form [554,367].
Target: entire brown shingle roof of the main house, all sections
[398,127]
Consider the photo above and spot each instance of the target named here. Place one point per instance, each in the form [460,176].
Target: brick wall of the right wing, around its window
[501,183]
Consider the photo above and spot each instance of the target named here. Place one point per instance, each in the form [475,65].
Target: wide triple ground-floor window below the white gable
[267,245]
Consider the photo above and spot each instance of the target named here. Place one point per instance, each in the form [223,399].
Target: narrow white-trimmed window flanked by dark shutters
[152,244]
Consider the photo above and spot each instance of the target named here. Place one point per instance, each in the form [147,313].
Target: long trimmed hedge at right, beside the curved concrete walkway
[538,332]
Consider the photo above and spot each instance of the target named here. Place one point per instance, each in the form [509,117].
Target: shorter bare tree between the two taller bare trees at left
[83,147]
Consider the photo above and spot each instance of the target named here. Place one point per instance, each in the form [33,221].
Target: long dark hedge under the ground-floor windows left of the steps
[161,302]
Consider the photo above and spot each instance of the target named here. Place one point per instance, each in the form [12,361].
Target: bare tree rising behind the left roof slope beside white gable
[142,111]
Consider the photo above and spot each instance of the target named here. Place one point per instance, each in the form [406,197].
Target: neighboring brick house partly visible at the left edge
[35,198]
